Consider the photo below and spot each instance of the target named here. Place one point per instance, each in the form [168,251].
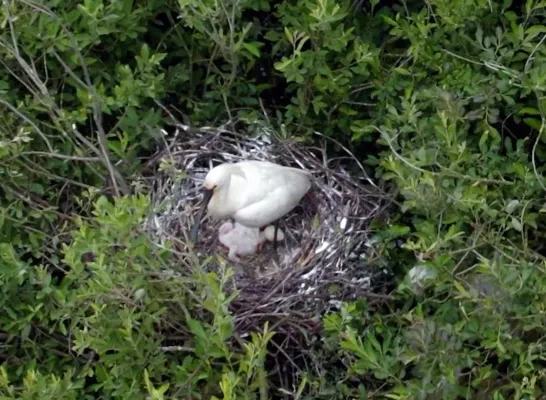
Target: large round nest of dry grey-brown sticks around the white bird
[326,251]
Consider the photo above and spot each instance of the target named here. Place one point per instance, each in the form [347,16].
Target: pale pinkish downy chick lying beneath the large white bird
[241,240]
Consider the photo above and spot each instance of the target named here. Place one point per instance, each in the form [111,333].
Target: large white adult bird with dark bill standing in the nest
[253,193]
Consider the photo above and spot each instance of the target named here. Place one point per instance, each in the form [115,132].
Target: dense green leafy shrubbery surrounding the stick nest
[445,100]
